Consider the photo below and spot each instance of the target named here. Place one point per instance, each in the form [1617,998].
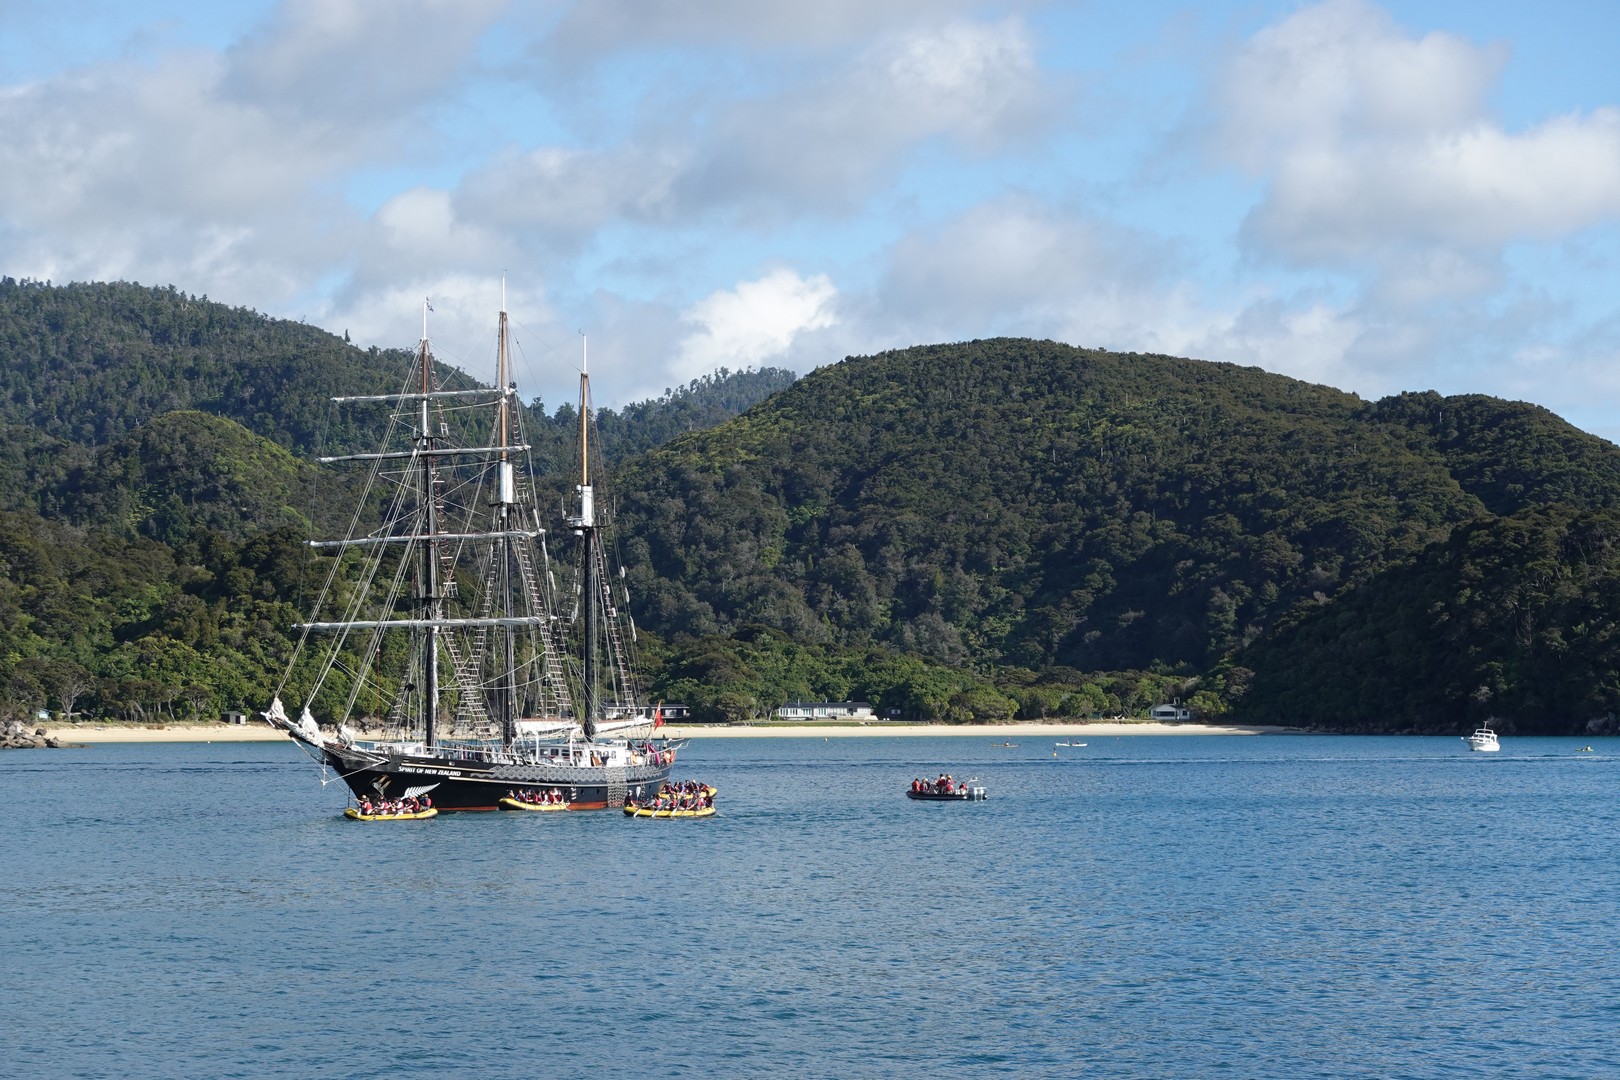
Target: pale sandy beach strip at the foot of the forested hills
[1101,729]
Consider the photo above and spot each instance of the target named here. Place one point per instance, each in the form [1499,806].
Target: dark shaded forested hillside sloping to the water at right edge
[1512,621]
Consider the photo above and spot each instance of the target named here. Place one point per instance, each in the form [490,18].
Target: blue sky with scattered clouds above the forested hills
[1378,197]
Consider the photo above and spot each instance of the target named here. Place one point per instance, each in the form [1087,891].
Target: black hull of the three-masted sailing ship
[469,784]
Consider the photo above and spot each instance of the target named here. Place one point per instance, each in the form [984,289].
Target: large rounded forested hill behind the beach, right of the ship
[1033,504]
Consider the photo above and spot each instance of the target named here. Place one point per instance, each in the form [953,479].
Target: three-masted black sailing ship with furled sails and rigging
[441,655]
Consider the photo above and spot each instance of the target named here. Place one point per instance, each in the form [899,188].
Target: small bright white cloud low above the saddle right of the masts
[754,323]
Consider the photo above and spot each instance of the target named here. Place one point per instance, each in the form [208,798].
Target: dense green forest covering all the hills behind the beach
[957,532]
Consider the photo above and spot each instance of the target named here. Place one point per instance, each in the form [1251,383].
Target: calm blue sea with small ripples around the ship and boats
[1138,908]
